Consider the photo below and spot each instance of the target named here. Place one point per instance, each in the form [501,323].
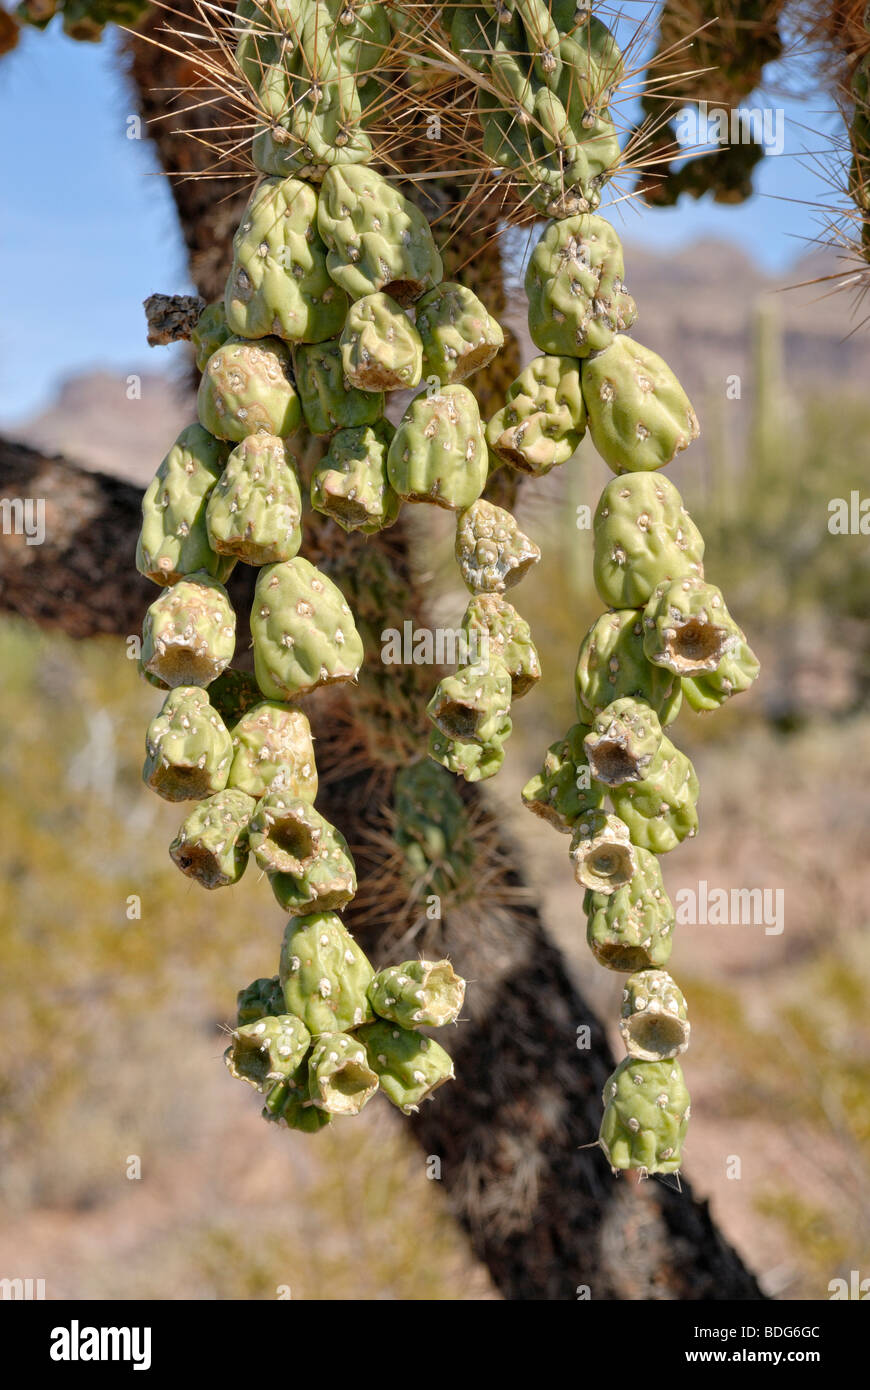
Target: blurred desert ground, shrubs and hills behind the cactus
[113,1029]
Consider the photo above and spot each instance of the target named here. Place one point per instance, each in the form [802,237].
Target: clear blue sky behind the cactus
[88,227]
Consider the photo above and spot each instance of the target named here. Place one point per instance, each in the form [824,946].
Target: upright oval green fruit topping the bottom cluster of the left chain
[325,975]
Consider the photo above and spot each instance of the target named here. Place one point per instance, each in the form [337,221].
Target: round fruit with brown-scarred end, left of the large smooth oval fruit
[190,633]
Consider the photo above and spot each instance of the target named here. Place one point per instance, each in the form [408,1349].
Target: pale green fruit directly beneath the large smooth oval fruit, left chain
[273,750]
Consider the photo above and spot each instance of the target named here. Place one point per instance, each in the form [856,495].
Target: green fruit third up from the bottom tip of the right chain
[632,928]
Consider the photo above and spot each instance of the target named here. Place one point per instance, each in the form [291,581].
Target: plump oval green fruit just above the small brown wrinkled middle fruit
[440,451]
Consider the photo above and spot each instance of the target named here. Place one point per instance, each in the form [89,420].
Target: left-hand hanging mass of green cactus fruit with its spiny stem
[312,336]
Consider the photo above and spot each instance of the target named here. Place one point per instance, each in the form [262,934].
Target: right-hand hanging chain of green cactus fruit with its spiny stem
[666,635]
